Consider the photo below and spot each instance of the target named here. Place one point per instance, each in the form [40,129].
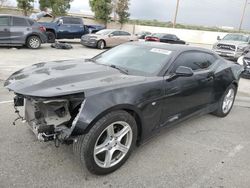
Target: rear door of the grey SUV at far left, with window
[19,29]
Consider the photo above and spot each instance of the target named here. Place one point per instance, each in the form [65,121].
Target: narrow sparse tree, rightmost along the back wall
[122,9]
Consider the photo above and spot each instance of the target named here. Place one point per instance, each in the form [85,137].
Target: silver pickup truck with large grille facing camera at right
[231,46]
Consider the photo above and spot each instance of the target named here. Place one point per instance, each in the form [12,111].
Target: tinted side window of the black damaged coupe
[194,60]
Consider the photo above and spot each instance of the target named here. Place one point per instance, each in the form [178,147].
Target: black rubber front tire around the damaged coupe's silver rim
[84,145]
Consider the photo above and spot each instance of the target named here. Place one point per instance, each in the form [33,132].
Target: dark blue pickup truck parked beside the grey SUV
[66,27]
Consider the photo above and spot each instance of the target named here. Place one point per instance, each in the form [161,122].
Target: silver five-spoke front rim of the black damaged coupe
[113,144]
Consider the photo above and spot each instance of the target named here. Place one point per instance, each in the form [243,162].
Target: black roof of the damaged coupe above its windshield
[172,47]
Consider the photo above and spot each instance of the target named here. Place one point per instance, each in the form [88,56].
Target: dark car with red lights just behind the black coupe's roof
[165,38]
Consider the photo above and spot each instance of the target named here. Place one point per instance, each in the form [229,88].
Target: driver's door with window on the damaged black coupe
[186,95]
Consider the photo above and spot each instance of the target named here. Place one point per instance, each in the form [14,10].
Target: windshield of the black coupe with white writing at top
[137,60]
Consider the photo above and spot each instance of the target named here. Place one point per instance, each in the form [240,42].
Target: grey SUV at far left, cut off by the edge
[19,31]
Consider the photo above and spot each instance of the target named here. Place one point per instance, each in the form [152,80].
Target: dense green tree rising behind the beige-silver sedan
[102,9]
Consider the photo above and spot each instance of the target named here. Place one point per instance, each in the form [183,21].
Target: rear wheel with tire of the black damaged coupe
[226,102]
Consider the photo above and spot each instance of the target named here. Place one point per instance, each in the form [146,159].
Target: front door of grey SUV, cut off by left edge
[4,30]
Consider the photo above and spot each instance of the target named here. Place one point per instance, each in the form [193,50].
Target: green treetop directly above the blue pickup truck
[59,7]
